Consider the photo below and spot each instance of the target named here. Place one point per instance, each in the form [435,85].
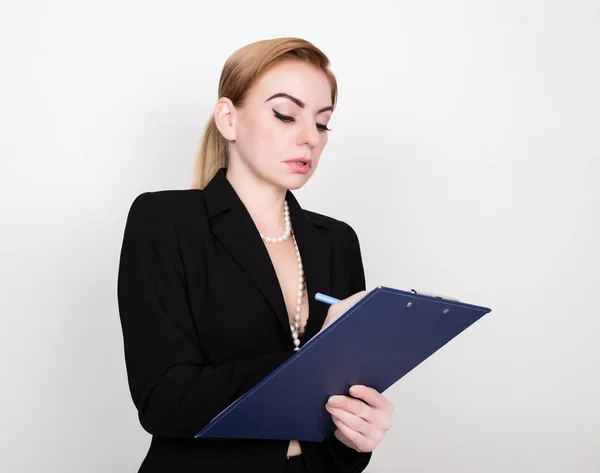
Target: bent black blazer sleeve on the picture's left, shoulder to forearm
[175,391]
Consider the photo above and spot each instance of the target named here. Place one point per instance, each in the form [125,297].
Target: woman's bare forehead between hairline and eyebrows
[296,78]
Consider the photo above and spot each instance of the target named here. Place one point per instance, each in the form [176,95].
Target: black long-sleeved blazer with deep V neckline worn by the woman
[204,319]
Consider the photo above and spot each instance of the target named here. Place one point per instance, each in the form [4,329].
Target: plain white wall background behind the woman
[464,151]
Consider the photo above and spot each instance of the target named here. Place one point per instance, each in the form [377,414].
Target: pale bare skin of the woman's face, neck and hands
[259,143]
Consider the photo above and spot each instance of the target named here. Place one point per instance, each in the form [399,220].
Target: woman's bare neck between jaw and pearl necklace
[263,201]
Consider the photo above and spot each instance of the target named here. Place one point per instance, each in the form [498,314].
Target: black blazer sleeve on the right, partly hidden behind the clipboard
[347,459]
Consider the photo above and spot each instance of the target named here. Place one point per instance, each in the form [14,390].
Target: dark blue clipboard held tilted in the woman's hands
[374,343]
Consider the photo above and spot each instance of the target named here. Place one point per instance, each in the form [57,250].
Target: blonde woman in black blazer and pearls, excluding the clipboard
[216,283]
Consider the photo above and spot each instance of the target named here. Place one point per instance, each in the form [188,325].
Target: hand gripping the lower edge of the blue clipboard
[361,420]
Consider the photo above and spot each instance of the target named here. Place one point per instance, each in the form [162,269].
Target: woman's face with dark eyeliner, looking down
[281,128]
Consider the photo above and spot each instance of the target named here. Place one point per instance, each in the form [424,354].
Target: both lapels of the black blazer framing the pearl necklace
[235,229]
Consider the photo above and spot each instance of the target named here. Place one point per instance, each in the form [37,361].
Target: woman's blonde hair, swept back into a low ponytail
[240,72]
